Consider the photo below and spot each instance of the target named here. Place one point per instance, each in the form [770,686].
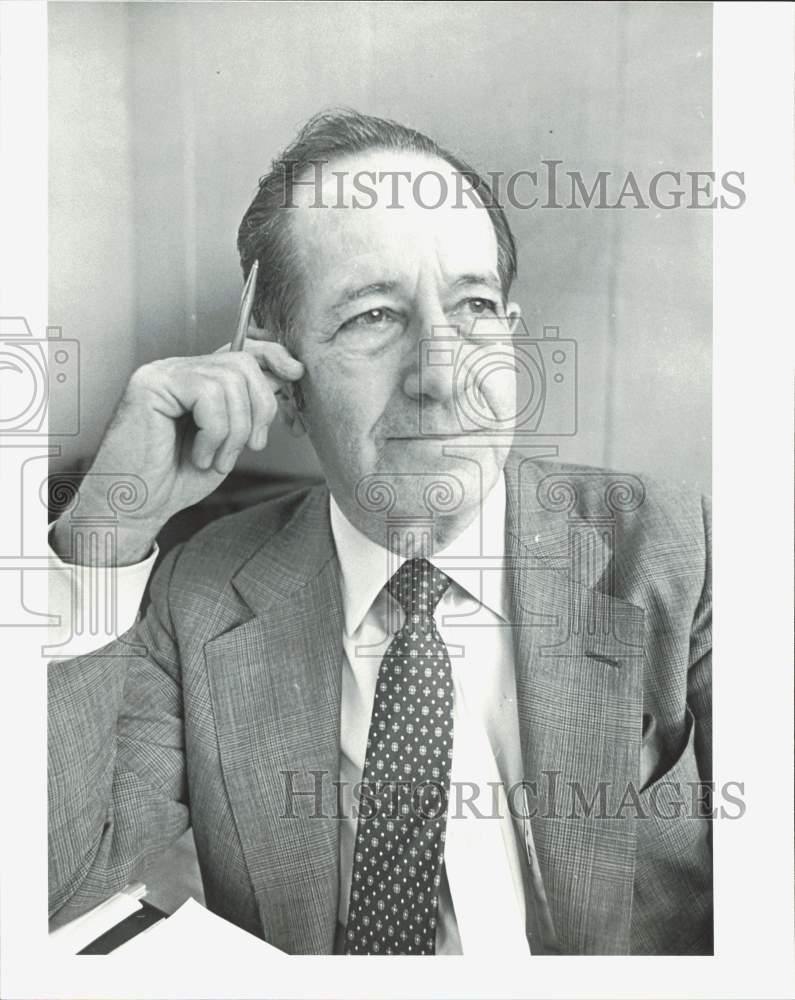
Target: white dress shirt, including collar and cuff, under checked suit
[481,901]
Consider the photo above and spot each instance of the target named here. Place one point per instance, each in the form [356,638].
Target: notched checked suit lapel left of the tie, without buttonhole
[275,682]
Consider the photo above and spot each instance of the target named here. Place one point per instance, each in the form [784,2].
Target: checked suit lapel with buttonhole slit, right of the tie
[579,700]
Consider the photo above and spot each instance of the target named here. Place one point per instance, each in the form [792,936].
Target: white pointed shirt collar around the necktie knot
[365,566]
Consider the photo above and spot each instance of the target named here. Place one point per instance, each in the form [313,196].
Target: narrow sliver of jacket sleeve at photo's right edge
[699,687]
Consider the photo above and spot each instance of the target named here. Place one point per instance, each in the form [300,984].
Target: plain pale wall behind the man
[163,117]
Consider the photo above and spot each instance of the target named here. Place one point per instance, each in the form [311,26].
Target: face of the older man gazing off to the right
[376,282]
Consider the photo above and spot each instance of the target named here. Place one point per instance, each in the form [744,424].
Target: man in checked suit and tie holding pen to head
[343,691]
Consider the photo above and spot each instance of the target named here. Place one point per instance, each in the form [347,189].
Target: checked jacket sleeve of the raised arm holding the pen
[117,790]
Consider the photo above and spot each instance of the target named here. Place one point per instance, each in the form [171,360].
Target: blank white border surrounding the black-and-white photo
[753,680]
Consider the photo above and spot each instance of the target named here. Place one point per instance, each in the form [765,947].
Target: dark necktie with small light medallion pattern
[403,806]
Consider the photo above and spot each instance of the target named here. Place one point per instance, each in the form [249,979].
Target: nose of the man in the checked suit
[430,367]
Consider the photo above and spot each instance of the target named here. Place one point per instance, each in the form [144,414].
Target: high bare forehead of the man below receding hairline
[422,216]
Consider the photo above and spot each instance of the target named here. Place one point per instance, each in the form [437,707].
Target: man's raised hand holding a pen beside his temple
[181,424]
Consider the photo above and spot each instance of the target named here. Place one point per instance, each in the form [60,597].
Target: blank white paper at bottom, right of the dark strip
[191,930]
